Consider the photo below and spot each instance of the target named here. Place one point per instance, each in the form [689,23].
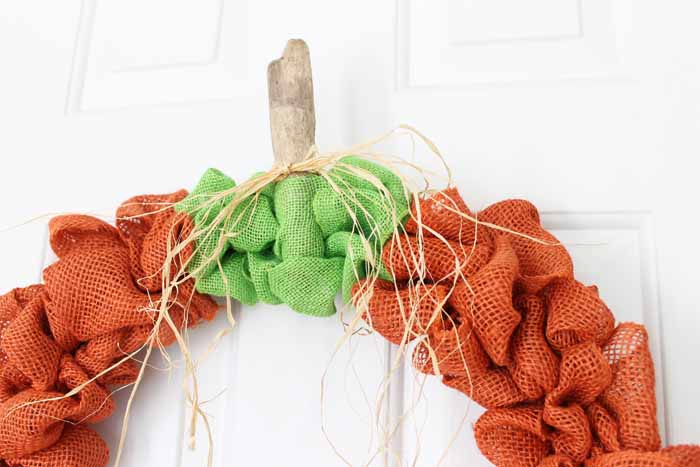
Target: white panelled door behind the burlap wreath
[589,108]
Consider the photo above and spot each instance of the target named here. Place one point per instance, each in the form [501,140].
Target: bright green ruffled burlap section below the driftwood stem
[296,242]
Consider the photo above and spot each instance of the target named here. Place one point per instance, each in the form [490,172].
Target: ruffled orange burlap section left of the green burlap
[96,305]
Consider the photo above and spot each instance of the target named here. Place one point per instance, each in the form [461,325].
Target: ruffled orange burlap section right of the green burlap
[519,335]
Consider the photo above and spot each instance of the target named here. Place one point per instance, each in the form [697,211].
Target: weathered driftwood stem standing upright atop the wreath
[291,94]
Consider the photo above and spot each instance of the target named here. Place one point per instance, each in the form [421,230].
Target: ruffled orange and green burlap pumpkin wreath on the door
[513,330]
